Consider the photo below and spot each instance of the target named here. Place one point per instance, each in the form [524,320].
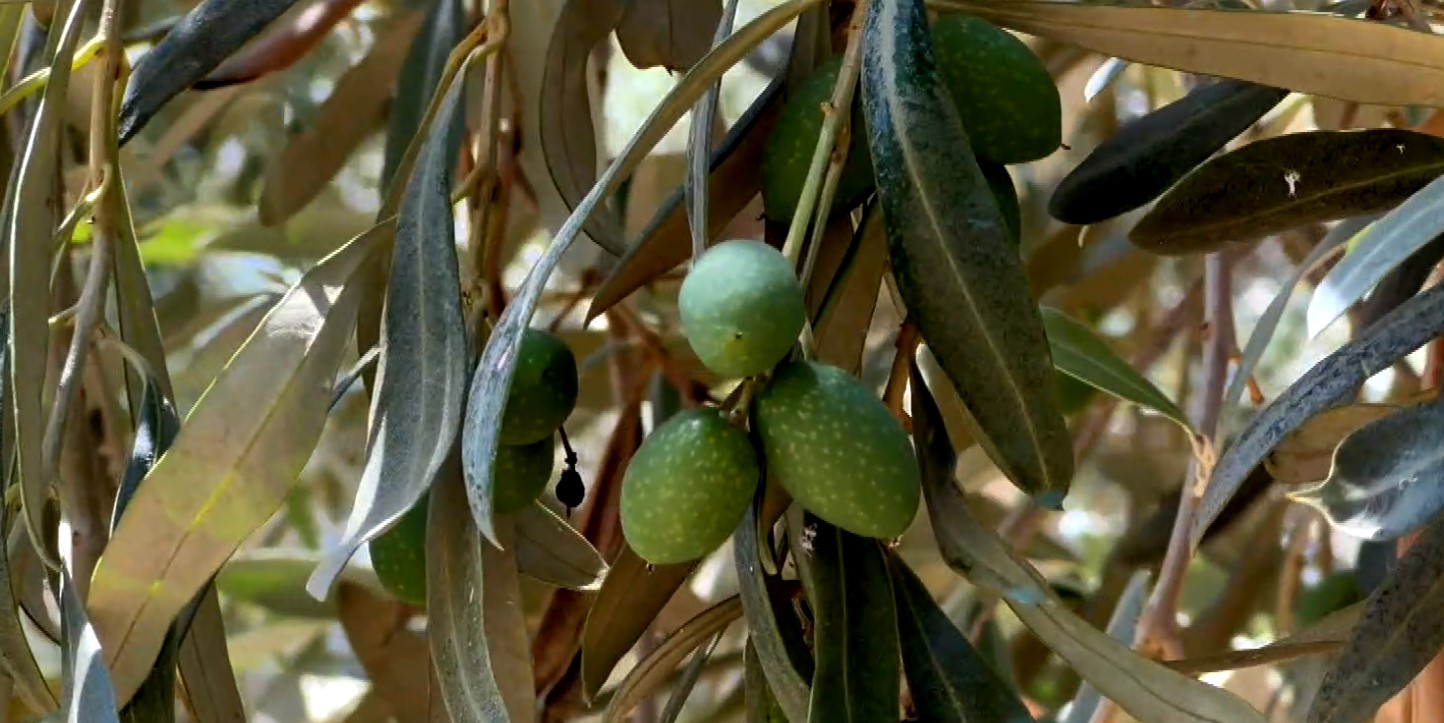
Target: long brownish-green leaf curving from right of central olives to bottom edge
[1140,686]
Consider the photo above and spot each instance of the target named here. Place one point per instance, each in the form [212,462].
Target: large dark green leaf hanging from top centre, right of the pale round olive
[955,263]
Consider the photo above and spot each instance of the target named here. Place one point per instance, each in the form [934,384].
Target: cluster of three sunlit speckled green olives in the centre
[825,438]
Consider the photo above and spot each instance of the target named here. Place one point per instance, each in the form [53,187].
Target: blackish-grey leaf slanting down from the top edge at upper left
[196,47]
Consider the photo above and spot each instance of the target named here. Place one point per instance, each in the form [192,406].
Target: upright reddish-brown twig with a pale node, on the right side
[1159,624]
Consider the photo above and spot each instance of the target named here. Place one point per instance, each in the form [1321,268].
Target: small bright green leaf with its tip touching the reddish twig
[1082,356]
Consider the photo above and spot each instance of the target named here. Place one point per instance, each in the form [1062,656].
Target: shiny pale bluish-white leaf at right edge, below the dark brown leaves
[1375,252]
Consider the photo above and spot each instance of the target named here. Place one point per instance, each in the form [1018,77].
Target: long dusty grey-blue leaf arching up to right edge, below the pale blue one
[1329,383]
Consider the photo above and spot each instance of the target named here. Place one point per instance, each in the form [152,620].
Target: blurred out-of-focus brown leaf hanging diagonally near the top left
[355,110]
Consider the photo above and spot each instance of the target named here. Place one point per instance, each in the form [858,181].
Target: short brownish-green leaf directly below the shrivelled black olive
[552,552]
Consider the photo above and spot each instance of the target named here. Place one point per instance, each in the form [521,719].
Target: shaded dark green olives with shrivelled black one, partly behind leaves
[542,396]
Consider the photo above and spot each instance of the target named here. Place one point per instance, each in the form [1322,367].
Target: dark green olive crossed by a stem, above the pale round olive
[788,155]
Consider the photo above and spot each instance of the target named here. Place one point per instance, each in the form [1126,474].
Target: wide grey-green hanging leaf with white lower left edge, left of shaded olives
[422,377]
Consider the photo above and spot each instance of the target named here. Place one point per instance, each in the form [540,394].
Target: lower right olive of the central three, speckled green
[838,451]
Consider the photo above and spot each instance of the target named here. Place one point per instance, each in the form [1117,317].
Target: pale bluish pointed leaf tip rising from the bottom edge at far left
[90,695]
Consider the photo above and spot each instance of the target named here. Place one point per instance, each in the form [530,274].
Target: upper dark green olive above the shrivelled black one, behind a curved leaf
[544,390]
